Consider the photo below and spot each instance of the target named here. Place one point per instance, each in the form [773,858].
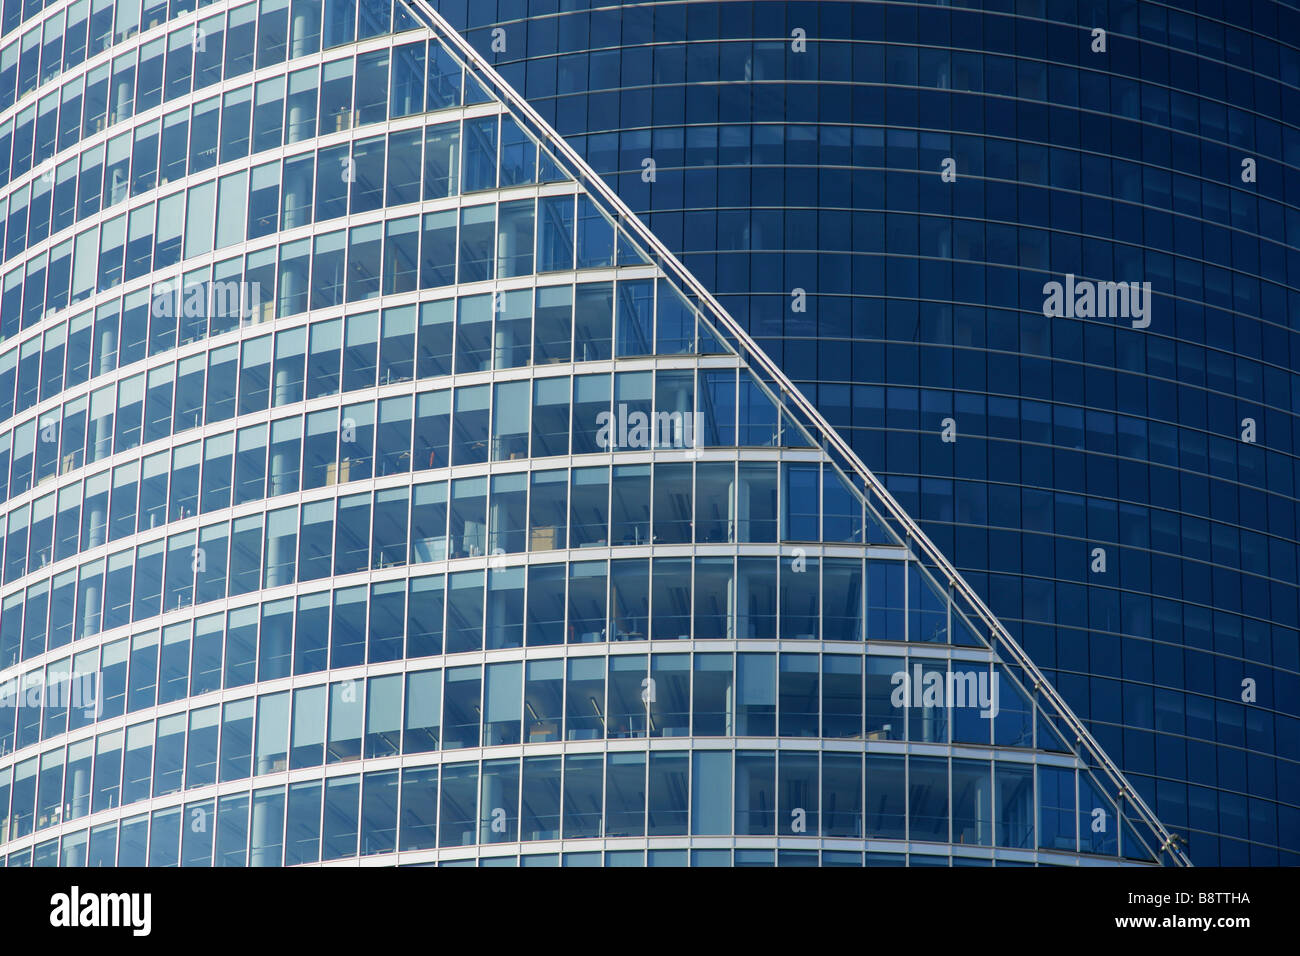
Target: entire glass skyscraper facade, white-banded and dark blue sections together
[379,486]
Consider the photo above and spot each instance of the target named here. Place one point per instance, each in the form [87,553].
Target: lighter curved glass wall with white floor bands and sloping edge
[384,492]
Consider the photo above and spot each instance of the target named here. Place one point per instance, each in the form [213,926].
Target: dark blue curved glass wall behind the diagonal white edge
[921,172]
